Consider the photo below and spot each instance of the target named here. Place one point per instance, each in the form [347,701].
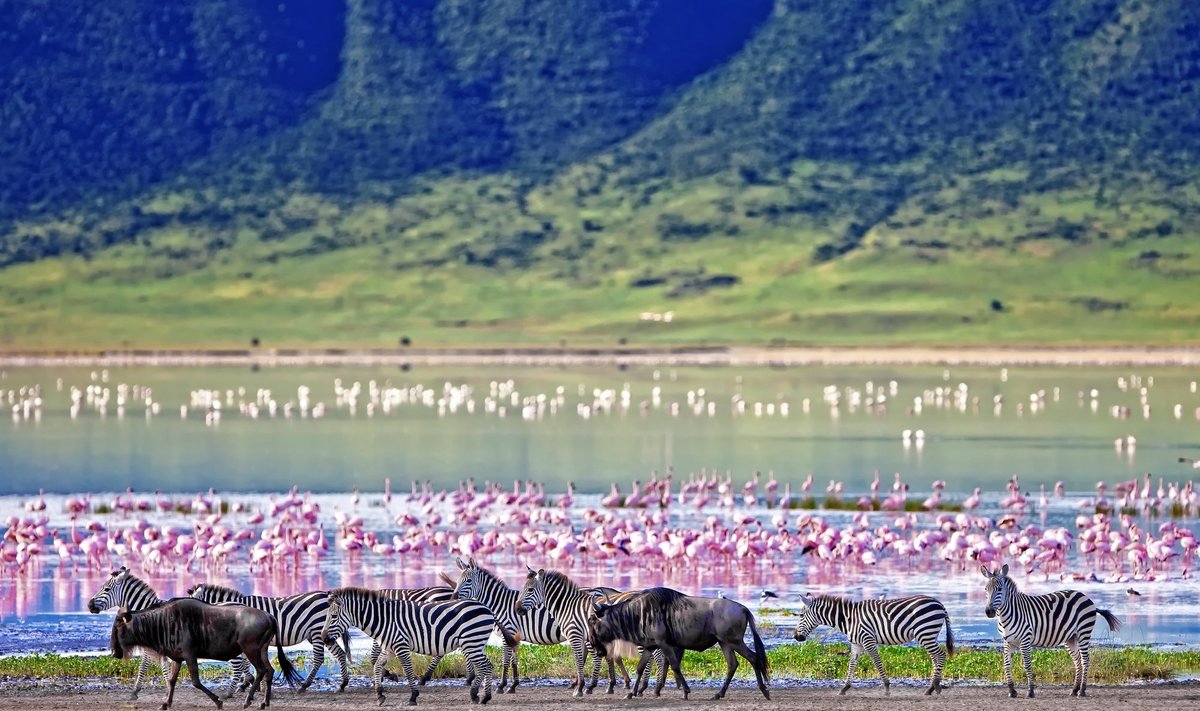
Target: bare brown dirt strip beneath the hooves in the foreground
[69,697]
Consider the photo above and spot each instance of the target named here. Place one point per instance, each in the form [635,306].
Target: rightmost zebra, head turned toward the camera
[1025,622]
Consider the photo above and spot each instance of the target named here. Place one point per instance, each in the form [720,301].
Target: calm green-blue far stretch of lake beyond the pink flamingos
[1067,435]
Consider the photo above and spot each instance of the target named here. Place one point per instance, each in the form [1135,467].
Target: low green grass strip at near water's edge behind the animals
[808,662]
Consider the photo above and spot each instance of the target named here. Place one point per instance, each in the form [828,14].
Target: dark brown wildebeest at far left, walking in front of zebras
[185,630]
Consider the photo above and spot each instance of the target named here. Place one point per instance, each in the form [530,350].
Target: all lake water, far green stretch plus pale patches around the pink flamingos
[981,428]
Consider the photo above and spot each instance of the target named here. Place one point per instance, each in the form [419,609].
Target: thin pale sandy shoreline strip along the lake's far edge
[625,356]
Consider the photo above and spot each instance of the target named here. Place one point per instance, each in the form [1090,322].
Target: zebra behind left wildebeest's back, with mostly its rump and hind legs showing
[301,618]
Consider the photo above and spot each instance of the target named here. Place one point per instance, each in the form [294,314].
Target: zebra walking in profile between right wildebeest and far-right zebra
[869,624]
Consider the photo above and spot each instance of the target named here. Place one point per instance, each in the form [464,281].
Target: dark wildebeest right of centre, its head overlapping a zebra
[664,619]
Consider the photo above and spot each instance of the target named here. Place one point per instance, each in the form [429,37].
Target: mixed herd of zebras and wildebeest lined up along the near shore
[655,625]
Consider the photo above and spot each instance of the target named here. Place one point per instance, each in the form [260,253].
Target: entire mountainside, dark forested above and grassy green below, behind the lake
[499,171]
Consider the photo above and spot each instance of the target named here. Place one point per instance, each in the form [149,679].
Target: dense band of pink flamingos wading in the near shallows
[1141,534]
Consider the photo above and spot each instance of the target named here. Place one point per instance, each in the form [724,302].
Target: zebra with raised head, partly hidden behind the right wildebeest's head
[569,606]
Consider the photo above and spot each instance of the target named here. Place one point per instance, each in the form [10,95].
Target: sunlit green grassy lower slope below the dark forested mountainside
[460,265]
